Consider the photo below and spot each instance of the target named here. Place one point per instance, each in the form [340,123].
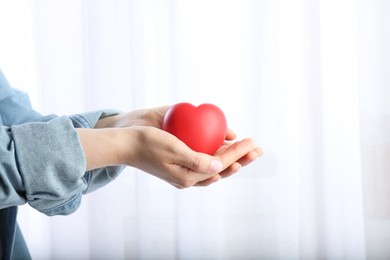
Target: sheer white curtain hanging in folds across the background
[307,79]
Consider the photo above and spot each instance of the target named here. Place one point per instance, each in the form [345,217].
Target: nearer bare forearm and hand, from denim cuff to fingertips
[161,154]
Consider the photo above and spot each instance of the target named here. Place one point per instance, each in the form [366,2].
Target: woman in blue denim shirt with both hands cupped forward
[49,162]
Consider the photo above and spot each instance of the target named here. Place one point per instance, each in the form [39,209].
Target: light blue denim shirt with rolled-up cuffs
[42,163]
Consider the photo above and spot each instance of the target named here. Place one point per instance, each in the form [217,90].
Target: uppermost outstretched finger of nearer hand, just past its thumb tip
[236,151]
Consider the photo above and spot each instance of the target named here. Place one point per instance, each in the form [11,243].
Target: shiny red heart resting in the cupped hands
[201,128]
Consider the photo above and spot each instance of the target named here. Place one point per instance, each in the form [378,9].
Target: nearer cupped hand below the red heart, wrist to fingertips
[166,157]
